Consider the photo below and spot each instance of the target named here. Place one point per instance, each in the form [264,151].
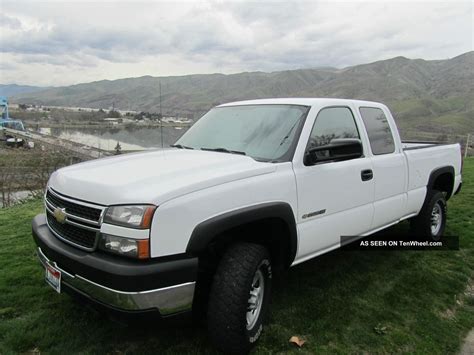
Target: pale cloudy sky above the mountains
[60,43]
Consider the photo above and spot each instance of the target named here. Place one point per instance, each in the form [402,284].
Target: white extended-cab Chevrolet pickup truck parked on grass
[252,187]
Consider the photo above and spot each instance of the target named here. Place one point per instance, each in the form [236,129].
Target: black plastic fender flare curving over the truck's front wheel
[211,229]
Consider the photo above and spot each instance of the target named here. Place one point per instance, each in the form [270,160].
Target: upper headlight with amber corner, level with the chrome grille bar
[135,216]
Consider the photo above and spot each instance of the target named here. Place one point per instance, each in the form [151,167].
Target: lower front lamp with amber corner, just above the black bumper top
[134,248]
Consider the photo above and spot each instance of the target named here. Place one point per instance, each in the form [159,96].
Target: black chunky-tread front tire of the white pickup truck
[229,299]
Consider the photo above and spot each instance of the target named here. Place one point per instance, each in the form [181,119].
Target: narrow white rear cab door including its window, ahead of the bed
[388,164]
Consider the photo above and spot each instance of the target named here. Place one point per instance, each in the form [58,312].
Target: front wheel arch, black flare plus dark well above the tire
[223,229]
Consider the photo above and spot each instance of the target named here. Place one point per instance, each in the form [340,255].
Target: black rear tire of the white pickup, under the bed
[421,225]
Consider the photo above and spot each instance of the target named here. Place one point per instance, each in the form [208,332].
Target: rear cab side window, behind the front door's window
[378,130]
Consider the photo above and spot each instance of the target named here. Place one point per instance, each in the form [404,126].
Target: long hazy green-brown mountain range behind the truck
[425,95]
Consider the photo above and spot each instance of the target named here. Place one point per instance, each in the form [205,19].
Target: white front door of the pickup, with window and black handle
[334,198]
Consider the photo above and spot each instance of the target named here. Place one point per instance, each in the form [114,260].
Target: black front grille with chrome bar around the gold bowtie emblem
[82,223]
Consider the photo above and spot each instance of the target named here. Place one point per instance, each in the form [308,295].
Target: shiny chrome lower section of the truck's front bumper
[167,300]
